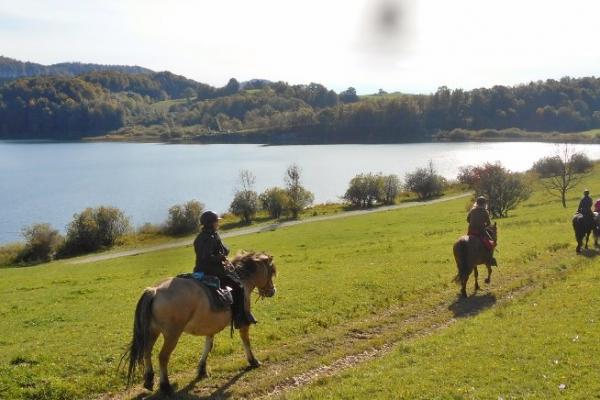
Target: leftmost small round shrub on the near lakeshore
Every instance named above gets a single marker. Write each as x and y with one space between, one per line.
41 243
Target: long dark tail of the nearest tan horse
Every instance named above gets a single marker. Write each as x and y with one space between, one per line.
134 356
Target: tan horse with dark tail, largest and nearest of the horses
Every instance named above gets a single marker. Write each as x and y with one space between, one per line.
179 305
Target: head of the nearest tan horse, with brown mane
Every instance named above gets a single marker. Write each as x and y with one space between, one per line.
258 269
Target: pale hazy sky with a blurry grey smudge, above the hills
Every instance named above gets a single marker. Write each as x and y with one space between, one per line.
410 46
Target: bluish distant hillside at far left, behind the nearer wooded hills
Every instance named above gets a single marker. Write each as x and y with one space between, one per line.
12 69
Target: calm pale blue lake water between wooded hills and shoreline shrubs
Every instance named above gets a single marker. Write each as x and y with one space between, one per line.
49 182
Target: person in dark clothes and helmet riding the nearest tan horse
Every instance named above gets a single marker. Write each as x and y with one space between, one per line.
211 258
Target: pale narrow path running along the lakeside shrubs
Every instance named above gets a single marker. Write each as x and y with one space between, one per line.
257 229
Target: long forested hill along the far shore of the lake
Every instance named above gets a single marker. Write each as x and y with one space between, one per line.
167 107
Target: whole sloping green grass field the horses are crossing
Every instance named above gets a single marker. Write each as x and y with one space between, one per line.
345 286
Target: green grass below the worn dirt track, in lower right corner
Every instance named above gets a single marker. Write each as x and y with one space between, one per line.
540 346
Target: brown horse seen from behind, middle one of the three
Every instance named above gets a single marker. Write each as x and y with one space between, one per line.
469 252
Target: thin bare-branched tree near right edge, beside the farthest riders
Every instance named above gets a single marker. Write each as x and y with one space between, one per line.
566 173
